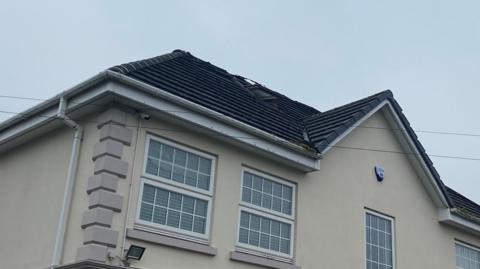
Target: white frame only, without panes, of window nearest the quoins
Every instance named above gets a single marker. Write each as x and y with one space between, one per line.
173 186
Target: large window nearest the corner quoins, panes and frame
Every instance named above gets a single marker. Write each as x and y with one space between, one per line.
176 191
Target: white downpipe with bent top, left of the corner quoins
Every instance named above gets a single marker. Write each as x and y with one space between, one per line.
69 183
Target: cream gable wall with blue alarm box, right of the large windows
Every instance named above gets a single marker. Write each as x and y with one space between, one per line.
330 229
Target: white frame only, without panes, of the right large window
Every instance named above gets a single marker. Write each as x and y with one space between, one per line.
267 213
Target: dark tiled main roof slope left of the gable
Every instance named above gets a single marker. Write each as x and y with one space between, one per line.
186 76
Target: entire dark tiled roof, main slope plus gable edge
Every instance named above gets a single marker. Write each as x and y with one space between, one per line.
189 77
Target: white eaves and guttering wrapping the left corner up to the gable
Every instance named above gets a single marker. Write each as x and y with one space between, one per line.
154 98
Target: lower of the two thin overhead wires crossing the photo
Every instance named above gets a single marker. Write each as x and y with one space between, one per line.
254 138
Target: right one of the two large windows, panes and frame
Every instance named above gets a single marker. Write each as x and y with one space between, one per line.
266 214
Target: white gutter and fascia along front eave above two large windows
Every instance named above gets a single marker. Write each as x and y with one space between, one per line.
279 149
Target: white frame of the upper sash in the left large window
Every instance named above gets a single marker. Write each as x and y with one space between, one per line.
150 137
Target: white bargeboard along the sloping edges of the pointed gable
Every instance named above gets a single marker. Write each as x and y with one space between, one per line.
429 180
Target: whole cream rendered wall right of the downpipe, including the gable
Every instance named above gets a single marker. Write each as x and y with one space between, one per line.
330 208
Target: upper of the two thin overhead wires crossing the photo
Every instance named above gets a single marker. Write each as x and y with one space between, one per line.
355 126
